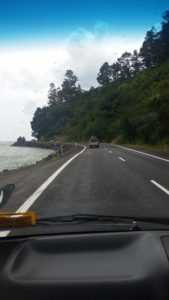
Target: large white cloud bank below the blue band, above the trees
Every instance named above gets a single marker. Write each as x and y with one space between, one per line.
25 74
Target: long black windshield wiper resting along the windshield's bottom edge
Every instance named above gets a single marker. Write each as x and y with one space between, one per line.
85 218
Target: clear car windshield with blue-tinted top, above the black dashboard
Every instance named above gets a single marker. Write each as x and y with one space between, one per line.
73 73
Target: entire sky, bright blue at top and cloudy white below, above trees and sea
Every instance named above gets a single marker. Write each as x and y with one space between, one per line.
40 40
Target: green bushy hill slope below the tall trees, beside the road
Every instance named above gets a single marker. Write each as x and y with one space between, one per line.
135 111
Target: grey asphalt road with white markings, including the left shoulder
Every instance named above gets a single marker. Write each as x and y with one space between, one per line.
110 180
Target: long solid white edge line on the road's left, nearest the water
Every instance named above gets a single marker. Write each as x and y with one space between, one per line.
29 202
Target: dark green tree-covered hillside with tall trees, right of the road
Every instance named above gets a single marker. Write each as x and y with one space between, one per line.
131 105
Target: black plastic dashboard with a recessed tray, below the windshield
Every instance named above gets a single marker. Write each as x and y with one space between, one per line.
113 265
